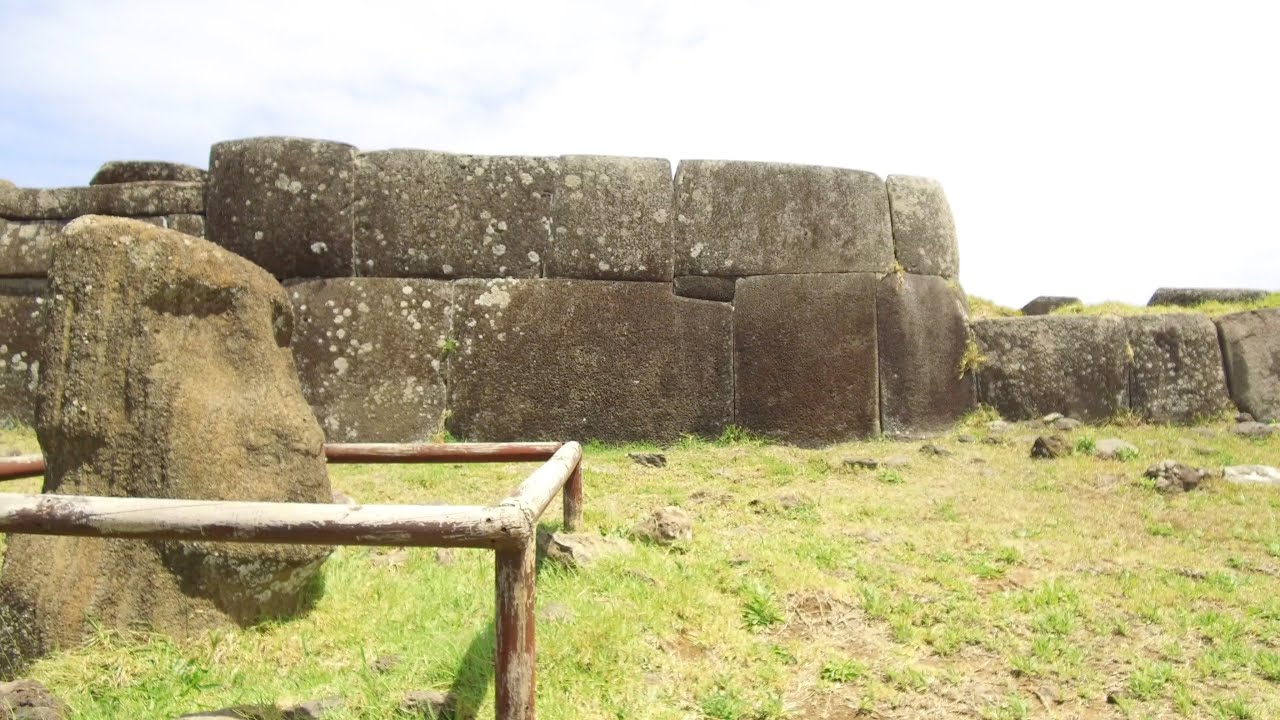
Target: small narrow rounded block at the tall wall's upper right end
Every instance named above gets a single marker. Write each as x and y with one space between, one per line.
925 233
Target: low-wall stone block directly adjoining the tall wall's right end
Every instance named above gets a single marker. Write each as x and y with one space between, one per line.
1071 364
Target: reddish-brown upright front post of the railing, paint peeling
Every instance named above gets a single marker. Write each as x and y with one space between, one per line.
516 667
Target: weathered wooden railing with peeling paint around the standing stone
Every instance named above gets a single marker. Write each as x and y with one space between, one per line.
509 528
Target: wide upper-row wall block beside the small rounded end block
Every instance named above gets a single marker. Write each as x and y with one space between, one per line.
767 218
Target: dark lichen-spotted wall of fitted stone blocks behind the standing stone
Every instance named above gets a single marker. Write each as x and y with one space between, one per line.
541 298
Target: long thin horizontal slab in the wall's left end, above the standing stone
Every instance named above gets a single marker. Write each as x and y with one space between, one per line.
135 199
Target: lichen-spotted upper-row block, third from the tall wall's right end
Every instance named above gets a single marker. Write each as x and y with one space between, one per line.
612 220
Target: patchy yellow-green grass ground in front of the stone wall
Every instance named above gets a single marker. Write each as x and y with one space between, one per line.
979 585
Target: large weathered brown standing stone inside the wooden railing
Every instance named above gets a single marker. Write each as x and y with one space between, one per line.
167 373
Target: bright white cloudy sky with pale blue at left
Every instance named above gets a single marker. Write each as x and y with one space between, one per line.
1089 149
